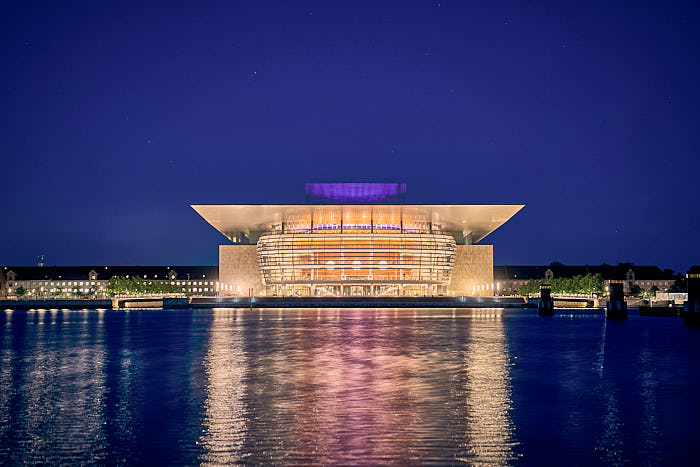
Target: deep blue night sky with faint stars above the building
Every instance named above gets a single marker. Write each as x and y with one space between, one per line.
115 117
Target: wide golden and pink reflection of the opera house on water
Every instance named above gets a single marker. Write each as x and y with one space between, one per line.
356 386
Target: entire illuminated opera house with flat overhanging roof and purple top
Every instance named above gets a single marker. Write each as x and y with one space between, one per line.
355 239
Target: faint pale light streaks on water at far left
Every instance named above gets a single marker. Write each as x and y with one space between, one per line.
56 383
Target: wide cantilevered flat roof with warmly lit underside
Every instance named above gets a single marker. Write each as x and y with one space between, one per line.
235 219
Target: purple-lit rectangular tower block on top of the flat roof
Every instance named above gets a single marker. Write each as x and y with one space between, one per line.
363 193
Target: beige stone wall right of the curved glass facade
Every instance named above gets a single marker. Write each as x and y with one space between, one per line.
473 266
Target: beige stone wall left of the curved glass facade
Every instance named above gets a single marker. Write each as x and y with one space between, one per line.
239 267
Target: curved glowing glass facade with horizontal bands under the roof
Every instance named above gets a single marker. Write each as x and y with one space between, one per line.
356 258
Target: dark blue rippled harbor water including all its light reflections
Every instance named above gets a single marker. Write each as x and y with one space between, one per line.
346 386
